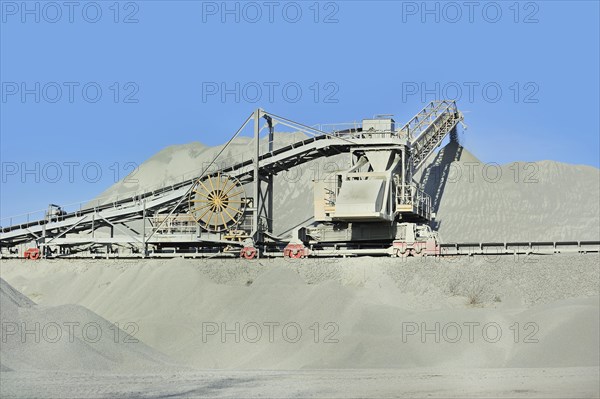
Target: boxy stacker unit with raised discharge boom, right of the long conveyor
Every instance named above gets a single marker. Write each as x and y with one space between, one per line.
376 200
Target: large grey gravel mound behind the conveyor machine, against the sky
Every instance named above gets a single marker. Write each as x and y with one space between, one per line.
474 201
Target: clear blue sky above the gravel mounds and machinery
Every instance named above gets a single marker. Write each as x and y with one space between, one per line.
96 87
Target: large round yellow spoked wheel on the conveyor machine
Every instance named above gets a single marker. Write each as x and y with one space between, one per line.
217 203
